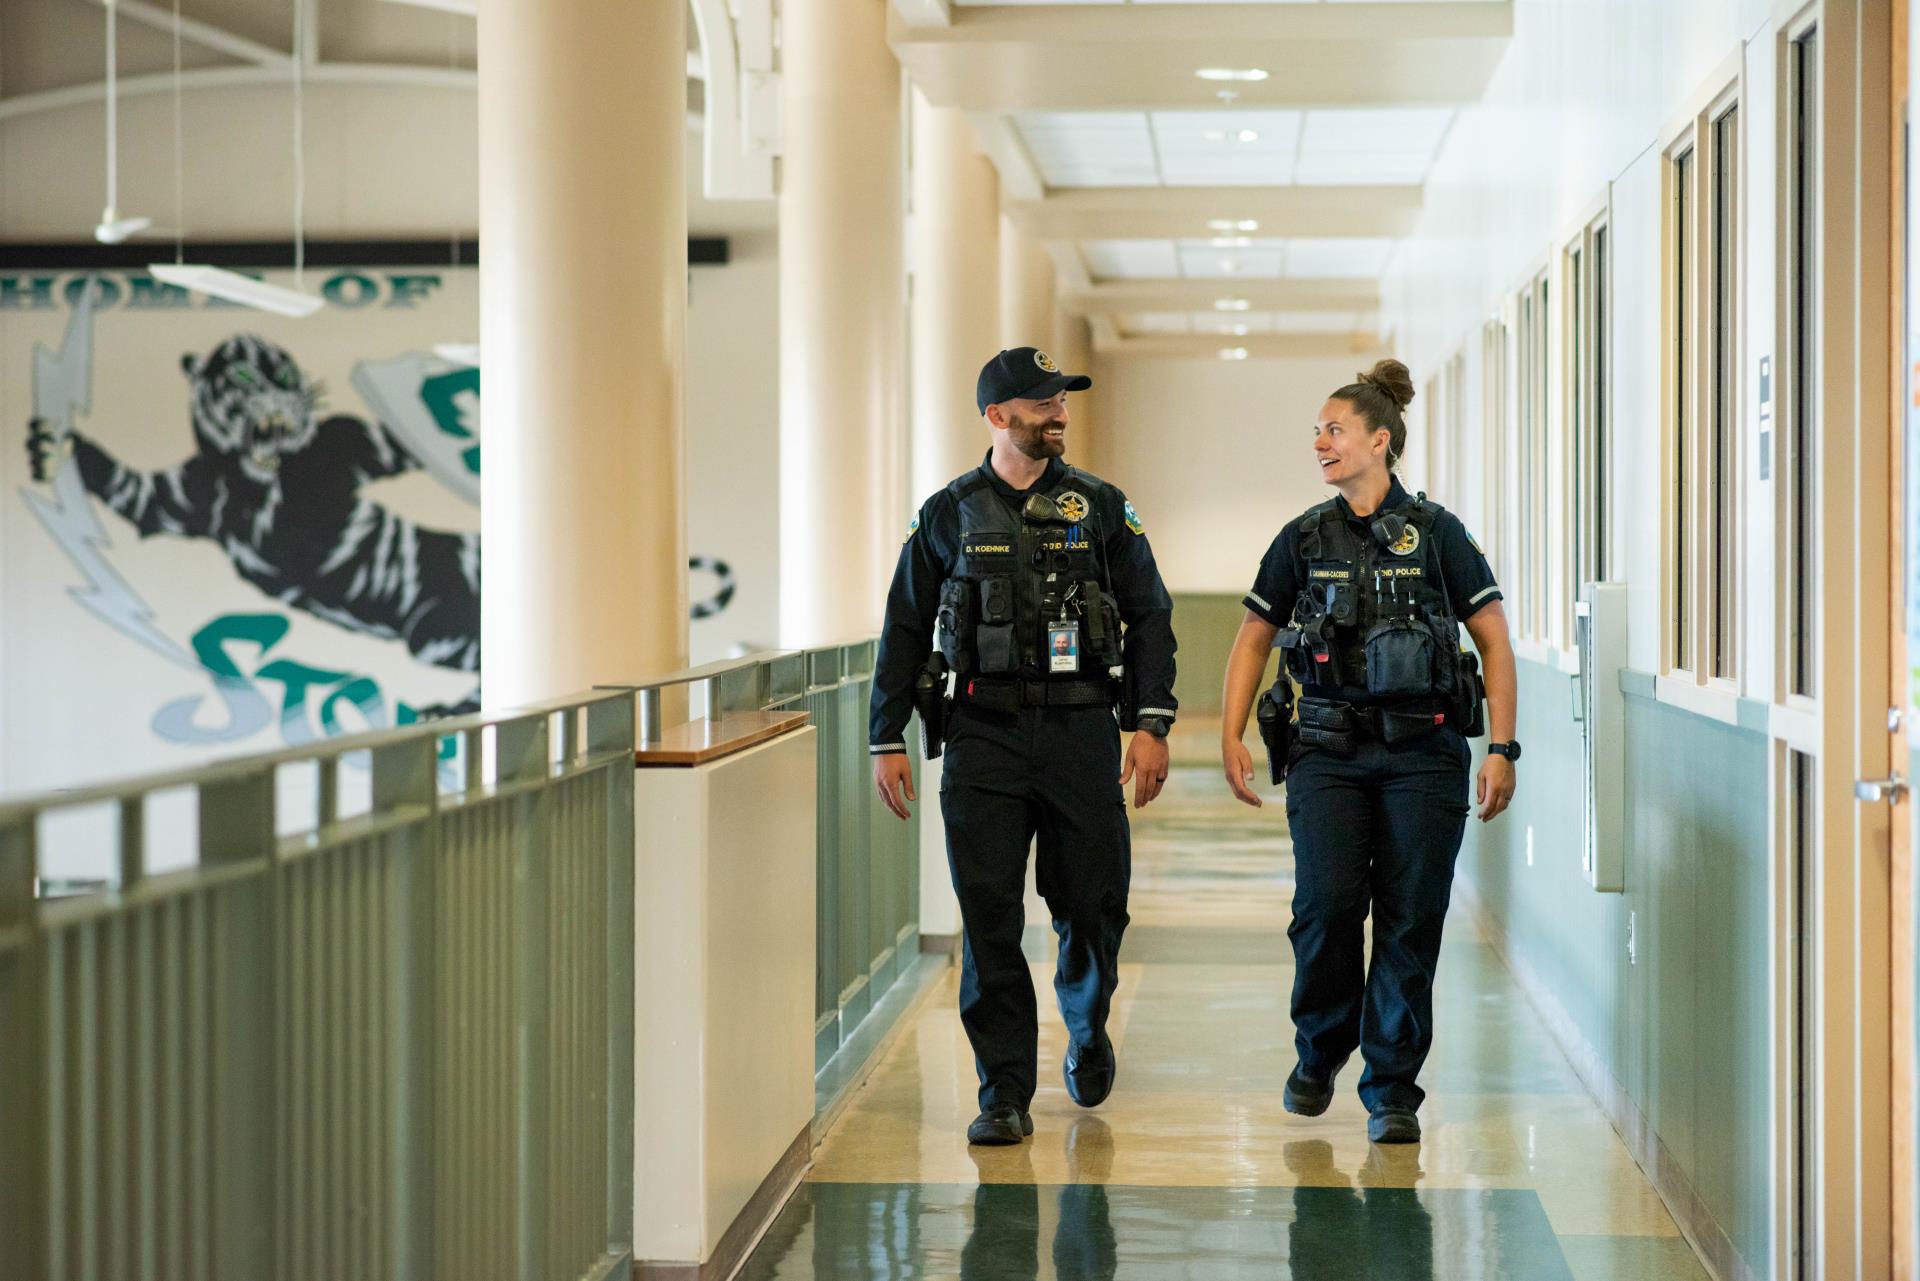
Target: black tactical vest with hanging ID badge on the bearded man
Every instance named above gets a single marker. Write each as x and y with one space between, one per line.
1026 587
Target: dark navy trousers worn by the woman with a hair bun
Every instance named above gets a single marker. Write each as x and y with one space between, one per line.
1380 829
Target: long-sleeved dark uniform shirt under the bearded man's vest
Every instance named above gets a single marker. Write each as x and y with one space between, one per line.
907 633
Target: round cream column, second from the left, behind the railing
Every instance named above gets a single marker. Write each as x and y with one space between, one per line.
842 322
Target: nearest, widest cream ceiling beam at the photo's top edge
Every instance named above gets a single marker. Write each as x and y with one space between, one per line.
1143 57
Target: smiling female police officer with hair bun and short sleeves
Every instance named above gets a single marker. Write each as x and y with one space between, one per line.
1364 594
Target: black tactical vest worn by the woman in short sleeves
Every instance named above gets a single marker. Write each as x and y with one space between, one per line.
1374 614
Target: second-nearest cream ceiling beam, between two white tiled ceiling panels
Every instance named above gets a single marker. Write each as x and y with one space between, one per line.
1184 212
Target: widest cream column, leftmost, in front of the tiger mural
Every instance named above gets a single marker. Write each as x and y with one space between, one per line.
583 322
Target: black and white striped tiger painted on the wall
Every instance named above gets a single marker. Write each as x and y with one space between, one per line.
279 487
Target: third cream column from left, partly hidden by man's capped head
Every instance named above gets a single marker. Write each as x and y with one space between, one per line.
957 310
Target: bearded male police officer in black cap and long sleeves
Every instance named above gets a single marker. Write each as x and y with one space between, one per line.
1042 585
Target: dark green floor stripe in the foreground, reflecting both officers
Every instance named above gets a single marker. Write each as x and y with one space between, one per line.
1088 1232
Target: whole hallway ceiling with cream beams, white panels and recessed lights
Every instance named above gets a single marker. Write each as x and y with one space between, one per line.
1184 208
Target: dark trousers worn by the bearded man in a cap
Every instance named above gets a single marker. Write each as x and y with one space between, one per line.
1011 777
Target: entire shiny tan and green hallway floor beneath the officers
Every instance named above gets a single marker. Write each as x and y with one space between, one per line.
1191 1169
